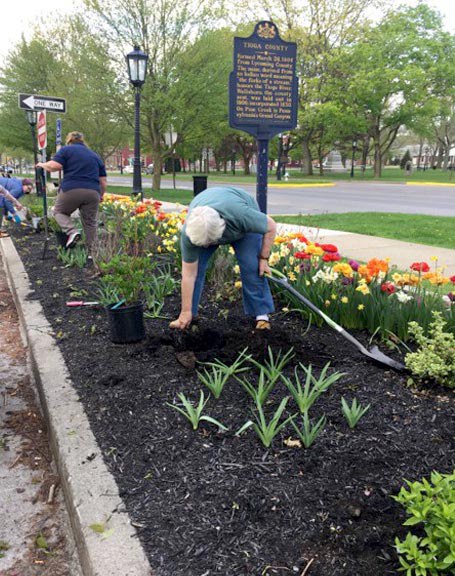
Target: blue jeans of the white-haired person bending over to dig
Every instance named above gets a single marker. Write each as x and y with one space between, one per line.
257 298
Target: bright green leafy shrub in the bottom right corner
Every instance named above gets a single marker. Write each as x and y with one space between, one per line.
432 507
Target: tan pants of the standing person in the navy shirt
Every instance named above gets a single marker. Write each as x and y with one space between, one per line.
87 201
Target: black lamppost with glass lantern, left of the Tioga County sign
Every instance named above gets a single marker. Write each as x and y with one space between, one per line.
137 69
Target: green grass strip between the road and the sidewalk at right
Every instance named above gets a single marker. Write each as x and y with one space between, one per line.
430 230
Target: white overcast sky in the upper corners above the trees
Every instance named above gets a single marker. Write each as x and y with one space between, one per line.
19 16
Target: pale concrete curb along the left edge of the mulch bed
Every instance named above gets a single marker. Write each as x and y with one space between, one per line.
90 491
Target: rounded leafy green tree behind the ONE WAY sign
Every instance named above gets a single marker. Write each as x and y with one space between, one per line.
64 61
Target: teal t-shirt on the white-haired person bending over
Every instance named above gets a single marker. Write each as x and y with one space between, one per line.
239 210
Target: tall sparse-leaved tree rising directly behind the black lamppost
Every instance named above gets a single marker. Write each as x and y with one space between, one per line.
163 30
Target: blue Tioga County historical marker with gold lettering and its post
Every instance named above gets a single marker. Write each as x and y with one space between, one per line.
263 92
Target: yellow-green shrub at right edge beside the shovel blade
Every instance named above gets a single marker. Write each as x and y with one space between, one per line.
435 357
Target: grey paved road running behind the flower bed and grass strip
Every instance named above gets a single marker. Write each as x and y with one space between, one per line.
345 197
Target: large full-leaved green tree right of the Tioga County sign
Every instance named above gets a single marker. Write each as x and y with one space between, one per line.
396 74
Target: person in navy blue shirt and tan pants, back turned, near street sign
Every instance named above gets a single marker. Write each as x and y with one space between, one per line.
83 186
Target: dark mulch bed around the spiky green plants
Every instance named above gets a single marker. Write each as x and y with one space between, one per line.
206 502
